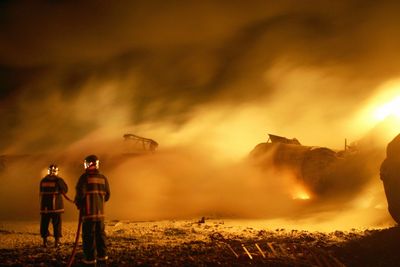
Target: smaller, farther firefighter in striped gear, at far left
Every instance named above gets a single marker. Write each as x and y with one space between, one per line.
51 204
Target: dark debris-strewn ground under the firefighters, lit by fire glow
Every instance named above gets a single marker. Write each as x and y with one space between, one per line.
213 243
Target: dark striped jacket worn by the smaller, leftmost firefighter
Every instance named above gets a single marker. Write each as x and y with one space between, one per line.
51 189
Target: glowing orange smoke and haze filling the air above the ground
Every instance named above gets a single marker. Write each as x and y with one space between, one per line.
207 80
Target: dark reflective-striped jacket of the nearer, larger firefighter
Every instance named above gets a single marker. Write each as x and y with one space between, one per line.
92 191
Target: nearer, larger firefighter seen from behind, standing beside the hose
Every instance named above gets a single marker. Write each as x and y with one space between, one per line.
92 190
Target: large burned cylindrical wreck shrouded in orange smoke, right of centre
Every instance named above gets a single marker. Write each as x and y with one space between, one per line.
321 170
